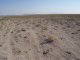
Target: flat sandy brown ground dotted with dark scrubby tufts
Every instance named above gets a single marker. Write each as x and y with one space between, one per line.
40 37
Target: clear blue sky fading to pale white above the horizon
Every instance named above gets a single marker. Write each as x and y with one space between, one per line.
16 7
